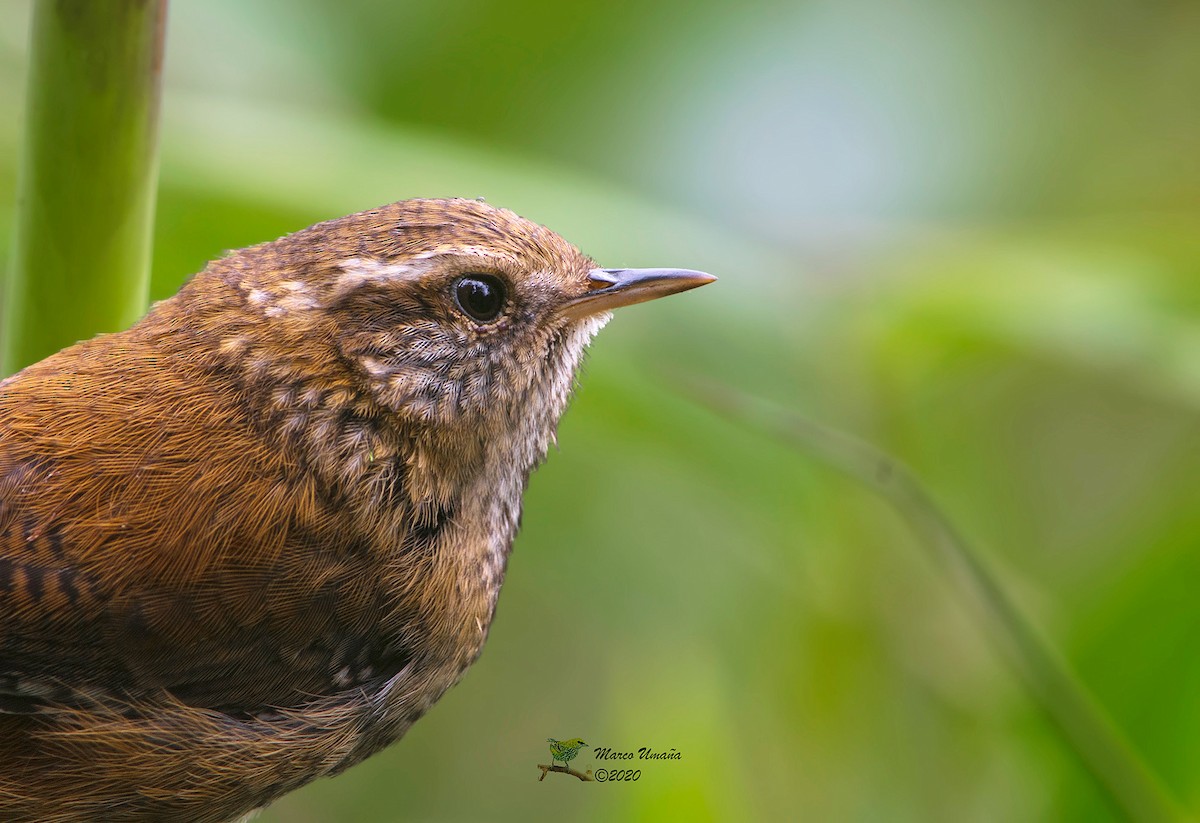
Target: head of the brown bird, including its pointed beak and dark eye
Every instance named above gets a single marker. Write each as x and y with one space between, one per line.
449 313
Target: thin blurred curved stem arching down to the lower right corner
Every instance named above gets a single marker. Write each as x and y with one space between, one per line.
1084 725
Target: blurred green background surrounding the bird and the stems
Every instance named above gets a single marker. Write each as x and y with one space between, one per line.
968 232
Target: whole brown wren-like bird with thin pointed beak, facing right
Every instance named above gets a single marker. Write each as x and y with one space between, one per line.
249 542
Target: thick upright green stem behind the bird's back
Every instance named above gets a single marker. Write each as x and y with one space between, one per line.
87 178
